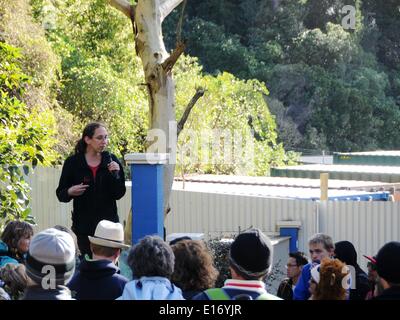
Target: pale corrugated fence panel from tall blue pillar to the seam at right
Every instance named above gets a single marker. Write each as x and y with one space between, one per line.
218 215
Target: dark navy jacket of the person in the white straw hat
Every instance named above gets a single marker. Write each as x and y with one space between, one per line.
97 280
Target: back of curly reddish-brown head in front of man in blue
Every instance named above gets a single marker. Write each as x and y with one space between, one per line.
330 278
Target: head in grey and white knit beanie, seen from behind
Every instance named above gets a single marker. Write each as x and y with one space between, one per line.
51 254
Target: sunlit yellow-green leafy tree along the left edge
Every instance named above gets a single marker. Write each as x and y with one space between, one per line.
33 125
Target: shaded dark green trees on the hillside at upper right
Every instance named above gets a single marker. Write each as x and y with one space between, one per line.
330 88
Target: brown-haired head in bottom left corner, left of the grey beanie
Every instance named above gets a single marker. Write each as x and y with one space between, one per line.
15 278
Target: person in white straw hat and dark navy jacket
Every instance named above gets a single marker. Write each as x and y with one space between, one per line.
99 278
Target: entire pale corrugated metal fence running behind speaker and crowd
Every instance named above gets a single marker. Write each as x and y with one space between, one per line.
368 225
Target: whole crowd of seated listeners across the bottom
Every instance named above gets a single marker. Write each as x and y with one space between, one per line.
49 266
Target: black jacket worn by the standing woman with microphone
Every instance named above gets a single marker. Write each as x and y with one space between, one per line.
98 202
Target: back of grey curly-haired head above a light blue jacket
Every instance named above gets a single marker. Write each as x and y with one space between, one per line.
151 257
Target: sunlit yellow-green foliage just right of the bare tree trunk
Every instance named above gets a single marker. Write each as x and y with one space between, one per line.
230 130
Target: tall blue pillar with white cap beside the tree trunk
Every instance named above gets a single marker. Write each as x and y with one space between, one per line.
147 172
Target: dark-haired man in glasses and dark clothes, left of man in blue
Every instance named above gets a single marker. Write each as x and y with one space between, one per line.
294 267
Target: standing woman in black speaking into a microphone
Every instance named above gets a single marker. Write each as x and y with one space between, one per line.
94 179
